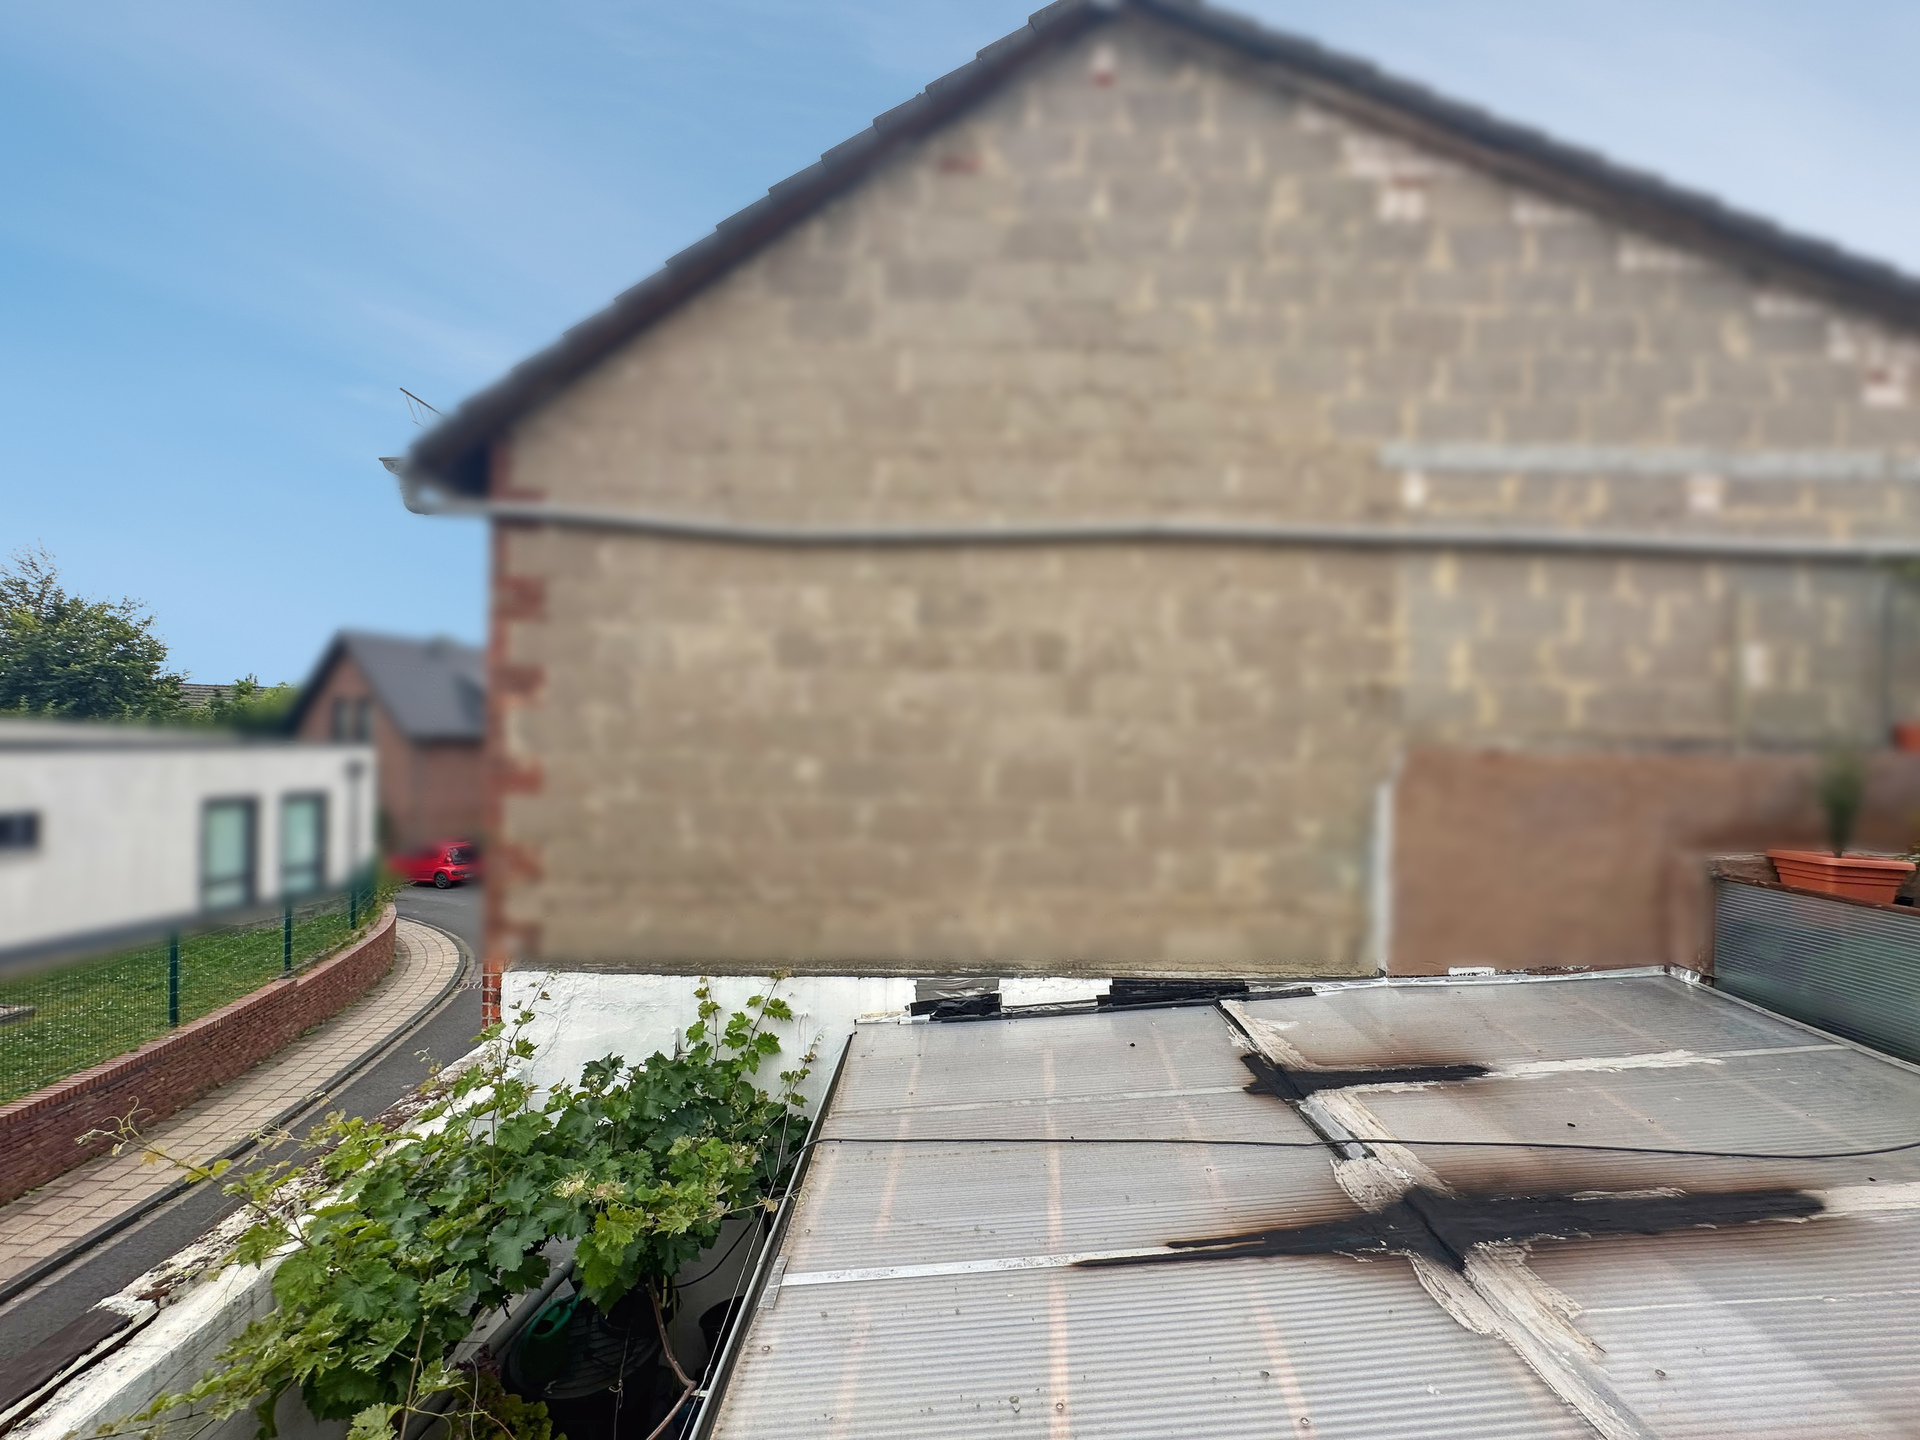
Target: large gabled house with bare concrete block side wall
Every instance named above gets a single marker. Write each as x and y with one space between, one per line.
1045 533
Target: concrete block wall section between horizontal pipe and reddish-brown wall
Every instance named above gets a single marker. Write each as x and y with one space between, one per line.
1610 652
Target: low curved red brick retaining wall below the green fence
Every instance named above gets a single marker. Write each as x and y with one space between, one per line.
37 1132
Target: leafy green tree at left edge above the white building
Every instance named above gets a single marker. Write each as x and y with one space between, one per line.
72 658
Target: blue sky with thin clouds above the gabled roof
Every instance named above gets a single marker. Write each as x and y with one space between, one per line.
229 233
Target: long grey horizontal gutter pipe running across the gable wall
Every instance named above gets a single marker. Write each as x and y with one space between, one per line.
423 498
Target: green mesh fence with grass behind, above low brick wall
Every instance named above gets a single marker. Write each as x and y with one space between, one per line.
59 1020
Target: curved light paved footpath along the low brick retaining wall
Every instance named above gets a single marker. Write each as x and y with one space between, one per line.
68 1211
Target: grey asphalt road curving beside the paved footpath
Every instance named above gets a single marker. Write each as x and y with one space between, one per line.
446 1036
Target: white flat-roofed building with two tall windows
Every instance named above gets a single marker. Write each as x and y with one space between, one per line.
110 828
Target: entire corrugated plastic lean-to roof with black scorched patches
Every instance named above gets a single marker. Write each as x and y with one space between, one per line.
932 1280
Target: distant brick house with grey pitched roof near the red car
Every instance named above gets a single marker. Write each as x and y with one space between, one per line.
423 706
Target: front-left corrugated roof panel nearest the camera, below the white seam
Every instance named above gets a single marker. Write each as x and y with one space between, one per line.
1226 1349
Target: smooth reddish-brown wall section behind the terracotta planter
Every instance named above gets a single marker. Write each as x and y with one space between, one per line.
1598 859
